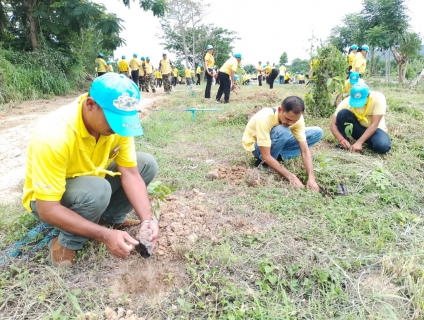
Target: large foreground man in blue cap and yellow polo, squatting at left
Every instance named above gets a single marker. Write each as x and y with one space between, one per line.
83 171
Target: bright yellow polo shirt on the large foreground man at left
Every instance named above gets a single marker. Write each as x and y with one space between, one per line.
61 148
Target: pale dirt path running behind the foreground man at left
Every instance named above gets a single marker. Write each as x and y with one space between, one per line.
16 126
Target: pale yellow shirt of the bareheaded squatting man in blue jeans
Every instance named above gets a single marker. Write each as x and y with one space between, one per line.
259 127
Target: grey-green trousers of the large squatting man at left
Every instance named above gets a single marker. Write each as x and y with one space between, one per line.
94 198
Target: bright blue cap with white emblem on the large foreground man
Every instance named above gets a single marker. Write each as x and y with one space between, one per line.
119 97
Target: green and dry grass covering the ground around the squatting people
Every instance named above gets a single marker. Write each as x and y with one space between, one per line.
309 257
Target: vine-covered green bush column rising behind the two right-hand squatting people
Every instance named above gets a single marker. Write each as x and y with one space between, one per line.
327 81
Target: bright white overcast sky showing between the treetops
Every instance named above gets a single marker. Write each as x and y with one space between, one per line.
267 28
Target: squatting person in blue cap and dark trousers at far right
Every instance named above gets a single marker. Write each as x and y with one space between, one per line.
365 110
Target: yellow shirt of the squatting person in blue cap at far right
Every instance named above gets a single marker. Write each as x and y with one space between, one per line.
378 106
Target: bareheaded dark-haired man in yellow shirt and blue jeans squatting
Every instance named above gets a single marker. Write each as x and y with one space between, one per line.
279 133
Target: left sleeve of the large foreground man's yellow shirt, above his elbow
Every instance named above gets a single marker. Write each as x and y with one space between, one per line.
49 164
